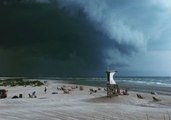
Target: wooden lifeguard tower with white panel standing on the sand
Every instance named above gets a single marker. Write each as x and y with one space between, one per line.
112 87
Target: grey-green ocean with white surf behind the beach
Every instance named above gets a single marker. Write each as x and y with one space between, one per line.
161 85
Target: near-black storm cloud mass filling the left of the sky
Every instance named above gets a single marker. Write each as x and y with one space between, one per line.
40 39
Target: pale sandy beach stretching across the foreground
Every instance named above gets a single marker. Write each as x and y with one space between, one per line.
81 105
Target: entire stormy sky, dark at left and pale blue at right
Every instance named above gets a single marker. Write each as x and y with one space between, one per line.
85 37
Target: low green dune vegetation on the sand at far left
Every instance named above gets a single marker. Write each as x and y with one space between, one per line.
20 82
